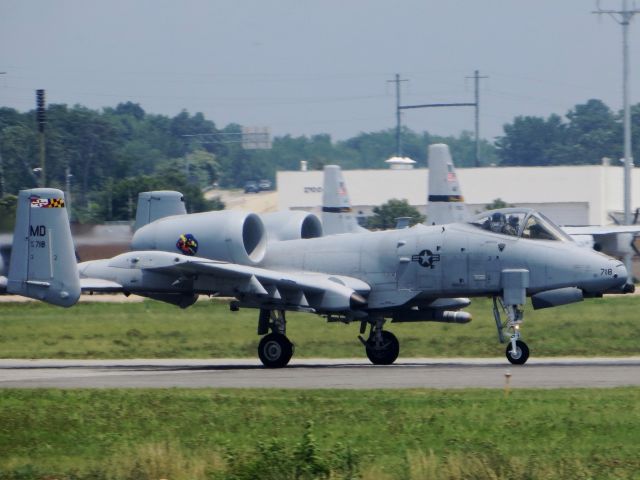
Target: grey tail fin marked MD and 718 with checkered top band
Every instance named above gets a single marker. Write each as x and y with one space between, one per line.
43 262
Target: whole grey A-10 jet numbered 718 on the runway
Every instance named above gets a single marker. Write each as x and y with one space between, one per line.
409 275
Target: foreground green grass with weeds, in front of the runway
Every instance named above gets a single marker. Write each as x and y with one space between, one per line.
274 434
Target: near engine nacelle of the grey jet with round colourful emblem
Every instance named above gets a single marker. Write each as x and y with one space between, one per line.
230 236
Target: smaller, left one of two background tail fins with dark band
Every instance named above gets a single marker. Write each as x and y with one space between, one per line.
337 216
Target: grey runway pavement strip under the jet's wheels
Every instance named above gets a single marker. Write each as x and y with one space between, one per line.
320 373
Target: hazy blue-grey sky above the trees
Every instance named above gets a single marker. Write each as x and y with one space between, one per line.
301 68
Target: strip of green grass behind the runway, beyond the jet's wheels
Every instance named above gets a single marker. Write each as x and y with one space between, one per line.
608 327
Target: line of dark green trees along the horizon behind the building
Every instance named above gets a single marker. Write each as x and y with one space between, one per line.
114 153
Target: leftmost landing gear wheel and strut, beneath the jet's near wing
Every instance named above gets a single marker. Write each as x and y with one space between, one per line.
275 349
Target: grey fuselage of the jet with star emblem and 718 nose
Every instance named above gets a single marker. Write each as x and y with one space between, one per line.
450 261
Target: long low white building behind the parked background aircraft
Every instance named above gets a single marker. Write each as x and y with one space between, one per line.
569 195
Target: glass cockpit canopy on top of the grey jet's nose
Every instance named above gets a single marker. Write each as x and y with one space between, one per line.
523 223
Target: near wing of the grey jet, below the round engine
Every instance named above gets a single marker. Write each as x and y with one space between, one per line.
252 285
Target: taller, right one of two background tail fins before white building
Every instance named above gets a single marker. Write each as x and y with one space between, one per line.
445 203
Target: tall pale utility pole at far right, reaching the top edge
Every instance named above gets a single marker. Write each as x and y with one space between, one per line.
623 17
